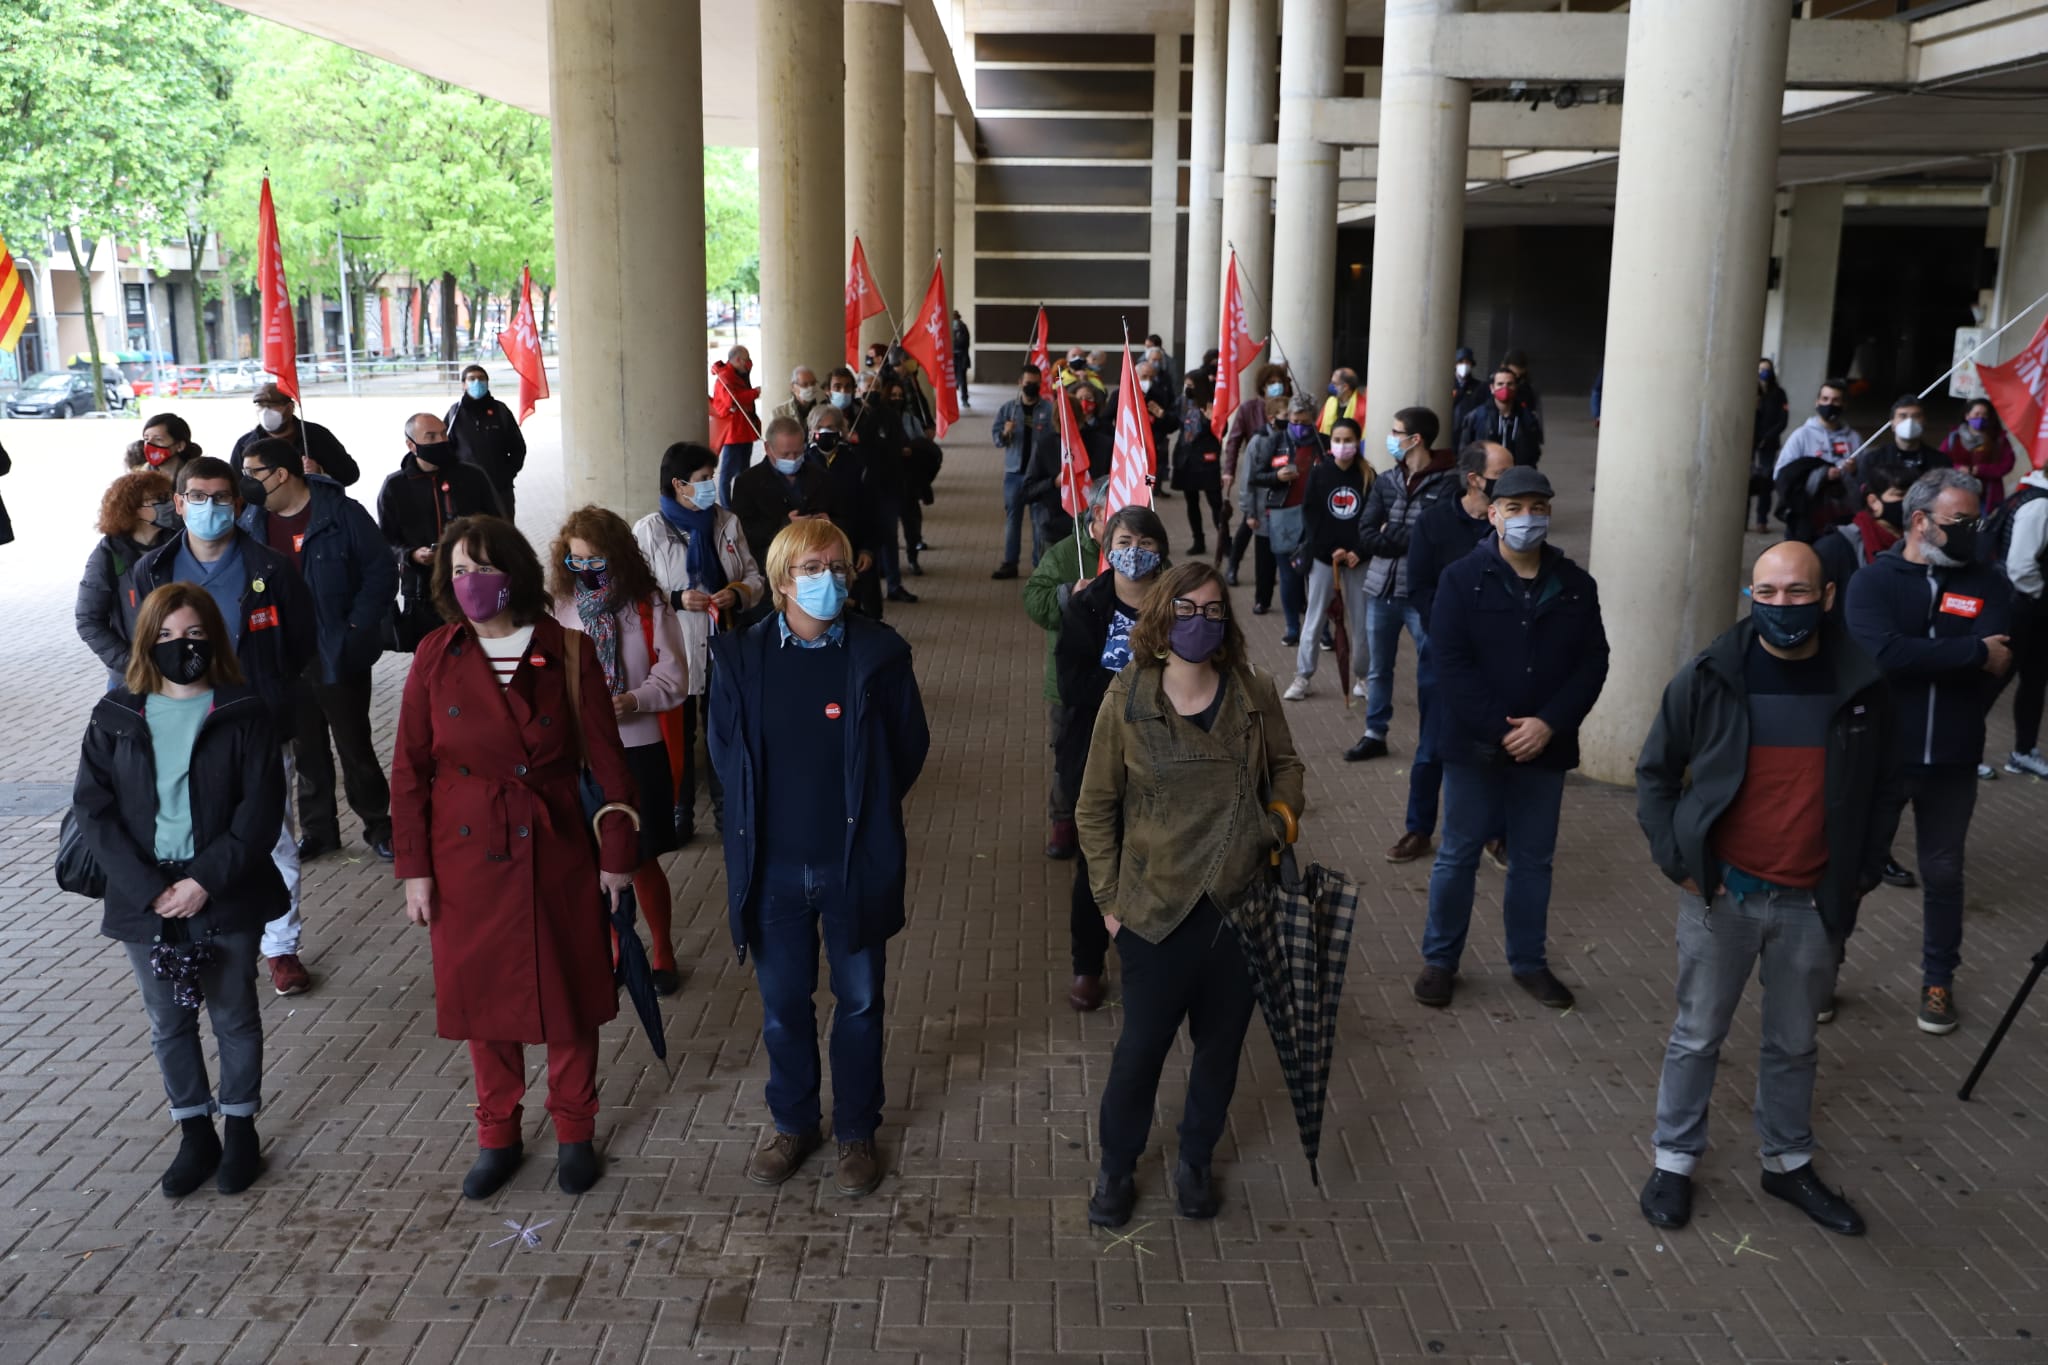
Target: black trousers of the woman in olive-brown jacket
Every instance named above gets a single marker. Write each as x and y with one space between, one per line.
1197 975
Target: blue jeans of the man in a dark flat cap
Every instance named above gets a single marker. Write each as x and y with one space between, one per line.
1478 803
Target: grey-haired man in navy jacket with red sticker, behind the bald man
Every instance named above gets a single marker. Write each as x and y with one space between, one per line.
1936 621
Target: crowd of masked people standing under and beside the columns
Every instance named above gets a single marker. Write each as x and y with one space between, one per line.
560 713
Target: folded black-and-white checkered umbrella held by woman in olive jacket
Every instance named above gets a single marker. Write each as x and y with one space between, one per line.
1297 936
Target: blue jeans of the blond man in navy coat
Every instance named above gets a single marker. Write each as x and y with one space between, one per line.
783 940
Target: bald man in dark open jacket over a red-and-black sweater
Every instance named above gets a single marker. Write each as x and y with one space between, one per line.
1768 789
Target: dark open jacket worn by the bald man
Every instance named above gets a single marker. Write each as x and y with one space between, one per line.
1699 752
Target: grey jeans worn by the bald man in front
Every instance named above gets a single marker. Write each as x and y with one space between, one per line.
1781 934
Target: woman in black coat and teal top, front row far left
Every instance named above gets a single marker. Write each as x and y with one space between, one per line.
181 797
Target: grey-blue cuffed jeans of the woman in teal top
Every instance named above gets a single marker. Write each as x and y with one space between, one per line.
232 1006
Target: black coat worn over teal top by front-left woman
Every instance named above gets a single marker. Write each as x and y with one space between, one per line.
239 807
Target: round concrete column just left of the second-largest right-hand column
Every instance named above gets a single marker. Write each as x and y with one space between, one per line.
1306 189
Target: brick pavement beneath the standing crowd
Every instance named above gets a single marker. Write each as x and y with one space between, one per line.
1480 1163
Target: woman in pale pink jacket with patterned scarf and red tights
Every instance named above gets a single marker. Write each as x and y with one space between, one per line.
601 586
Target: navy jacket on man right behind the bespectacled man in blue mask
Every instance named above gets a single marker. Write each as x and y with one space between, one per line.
351 576
